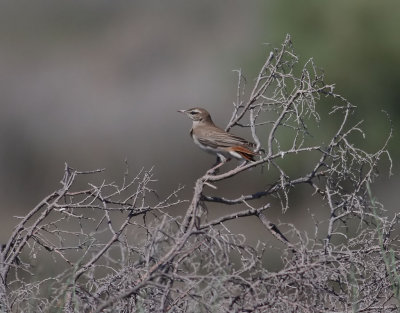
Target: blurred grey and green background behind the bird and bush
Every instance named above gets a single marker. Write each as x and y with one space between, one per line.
91 83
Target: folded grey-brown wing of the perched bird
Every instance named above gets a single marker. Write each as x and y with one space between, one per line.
216 137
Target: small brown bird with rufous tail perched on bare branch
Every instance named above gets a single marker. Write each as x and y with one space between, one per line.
213 139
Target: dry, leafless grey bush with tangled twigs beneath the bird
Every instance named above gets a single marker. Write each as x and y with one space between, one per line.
119 248
